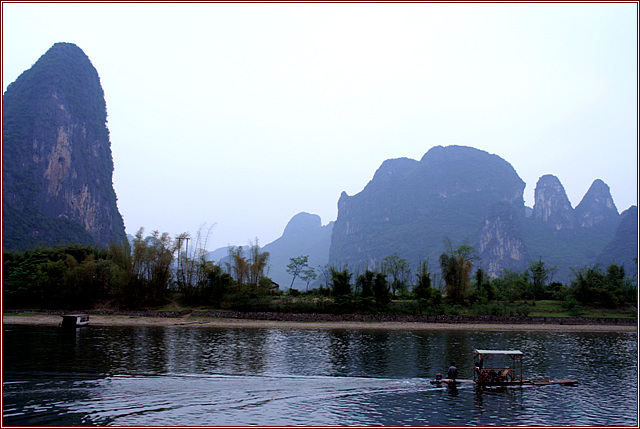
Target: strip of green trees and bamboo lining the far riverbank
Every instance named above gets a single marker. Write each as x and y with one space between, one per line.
152 271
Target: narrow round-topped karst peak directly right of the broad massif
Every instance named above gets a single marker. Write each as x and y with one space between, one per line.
551 204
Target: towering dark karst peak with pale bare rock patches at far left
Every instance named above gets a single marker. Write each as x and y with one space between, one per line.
57 165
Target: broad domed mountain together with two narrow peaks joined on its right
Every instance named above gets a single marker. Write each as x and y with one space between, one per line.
474 198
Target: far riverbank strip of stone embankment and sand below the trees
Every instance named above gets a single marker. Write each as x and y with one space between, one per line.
318 321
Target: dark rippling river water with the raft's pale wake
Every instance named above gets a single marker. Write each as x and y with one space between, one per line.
177 376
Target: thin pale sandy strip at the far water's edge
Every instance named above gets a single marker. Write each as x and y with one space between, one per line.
209 322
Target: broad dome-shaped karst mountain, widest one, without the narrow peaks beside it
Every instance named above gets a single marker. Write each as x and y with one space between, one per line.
409 207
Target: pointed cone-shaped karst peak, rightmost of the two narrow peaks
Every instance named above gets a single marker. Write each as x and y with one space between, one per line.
597 206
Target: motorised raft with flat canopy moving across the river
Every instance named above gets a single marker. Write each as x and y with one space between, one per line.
507 372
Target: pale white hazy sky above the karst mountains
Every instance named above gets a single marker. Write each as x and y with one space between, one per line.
242 115
